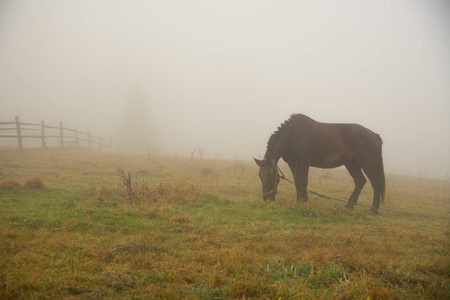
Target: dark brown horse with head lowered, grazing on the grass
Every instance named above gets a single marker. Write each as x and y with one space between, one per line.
303 143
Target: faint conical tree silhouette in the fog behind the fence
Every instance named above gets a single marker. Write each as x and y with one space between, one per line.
137 133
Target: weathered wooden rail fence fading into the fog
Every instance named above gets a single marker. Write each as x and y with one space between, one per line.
45 133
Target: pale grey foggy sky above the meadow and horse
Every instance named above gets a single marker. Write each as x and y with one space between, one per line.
222 75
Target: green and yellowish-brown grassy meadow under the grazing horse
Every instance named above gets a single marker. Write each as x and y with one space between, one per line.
73 227
